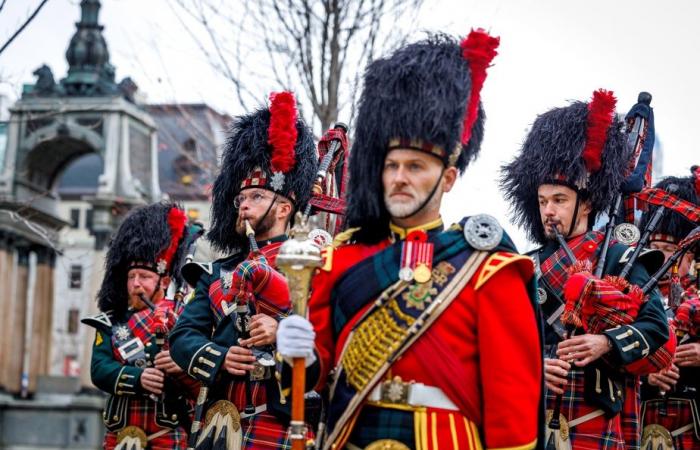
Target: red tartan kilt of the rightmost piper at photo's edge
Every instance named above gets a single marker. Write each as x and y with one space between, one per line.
678 414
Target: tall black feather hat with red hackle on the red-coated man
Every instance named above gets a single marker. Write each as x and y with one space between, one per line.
425 97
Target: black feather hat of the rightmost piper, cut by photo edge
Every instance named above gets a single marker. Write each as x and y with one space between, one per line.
674 227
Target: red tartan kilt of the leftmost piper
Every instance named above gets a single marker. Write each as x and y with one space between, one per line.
142 413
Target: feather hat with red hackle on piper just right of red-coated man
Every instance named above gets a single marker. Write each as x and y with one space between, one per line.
582 146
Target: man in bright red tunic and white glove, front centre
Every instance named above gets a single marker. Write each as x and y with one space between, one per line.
429 332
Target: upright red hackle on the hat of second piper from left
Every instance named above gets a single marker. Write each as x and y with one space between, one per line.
282 133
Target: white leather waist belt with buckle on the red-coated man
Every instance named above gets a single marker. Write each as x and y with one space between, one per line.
413 394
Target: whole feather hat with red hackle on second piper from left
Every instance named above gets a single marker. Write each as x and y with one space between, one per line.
272 149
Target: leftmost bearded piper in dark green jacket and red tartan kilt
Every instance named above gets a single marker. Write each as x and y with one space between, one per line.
147 406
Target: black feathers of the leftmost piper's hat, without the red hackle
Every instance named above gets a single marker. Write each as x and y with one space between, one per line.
141 237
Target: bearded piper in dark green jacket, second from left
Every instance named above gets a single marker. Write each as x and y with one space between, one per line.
267 172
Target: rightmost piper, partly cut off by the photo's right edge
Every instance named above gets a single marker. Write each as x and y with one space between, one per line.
671 397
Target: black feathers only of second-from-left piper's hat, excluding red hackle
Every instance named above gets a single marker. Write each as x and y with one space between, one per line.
247 148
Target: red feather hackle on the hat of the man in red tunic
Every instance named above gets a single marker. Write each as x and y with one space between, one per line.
479 49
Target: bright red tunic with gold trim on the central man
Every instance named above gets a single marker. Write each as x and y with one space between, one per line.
483 352
